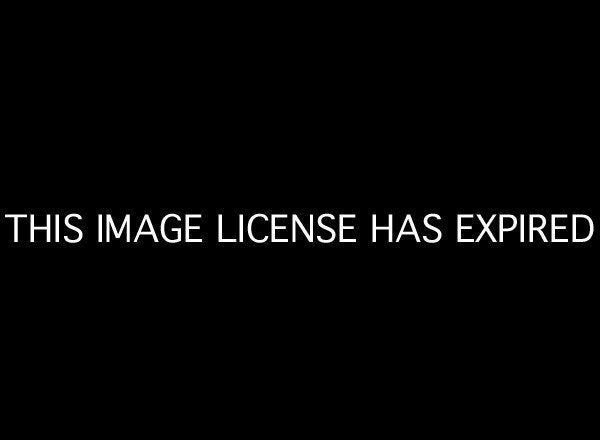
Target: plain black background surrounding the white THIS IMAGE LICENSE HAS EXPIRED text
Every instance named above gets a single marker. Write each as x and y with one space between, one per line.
368 113
